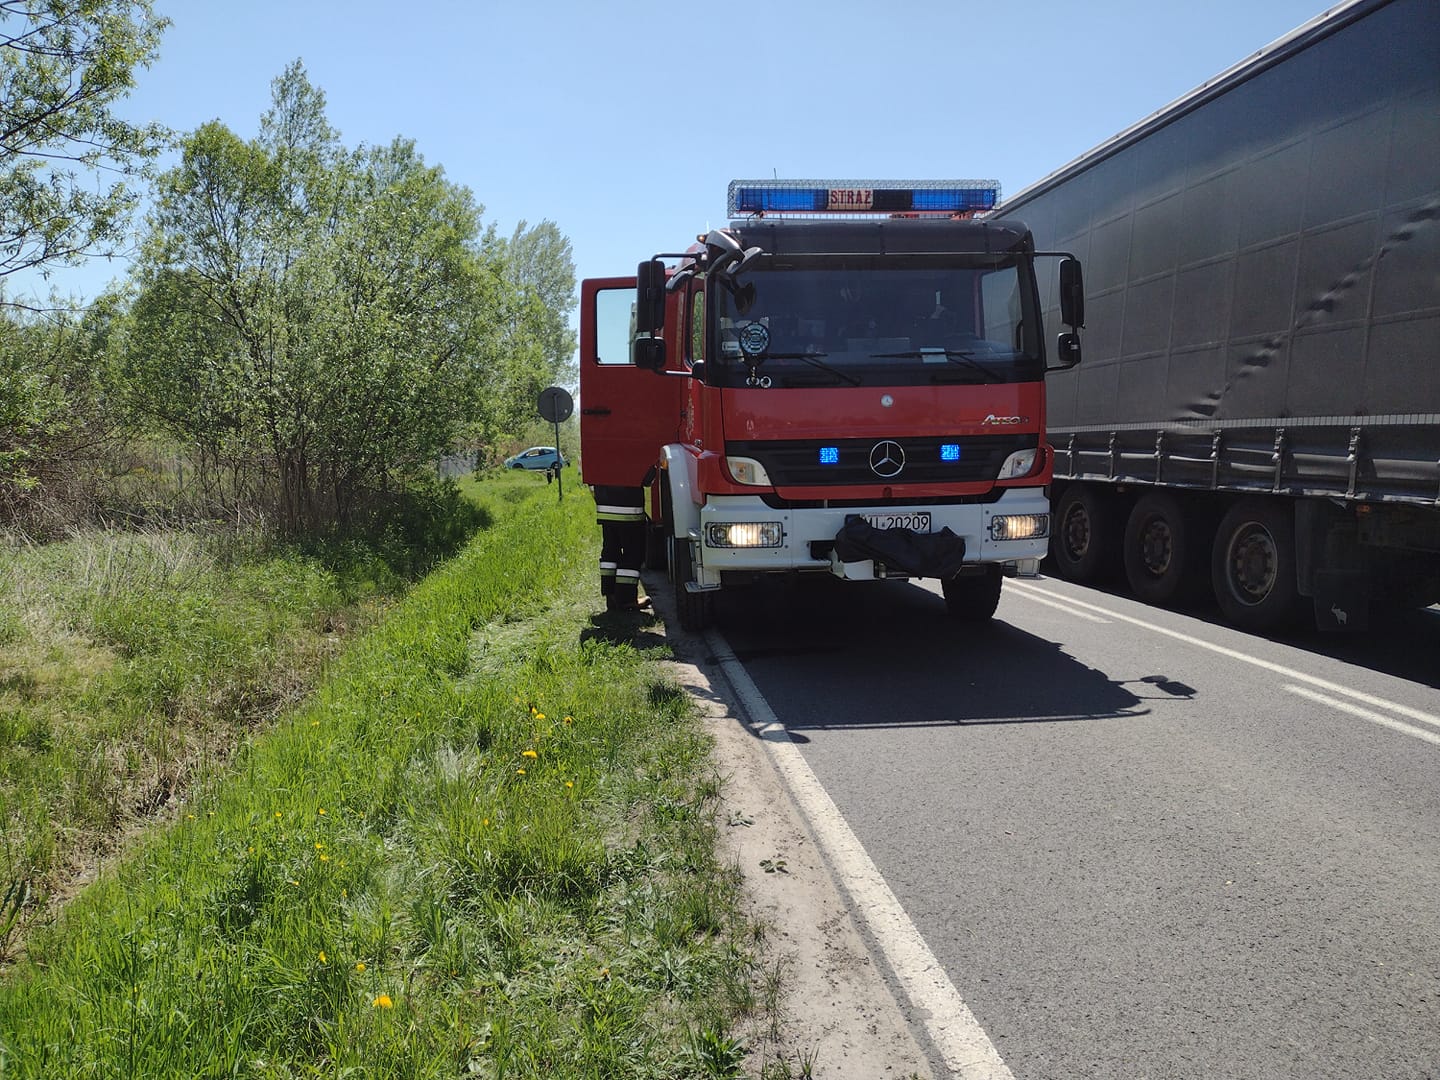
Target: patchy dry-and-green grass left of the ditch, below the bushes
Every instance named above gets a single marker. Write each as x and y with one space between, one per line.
132 666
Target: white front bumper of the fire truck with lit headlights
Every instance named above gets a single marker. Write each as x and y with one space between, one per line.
807 535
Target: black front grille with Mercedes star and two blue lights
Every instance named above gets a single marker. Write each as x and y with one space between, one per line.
798 463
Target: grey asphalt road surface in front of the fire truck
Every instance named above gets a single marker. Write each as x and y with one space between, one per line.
1140 843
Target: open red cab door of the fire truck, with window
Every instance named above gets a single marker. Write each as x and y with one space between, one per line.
627 413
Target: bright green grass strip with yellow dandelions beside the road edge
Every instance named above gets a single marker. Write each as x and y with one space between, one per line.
485 847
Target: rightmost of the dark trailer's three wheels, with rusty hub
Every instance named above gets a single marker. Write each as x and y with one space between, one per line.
1254 567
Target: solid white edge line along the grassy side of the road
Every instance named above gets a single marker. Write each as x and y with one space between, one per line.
950 1023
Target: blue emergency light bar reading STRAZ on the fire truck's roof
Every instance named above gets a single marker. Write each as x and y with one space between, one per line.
862 197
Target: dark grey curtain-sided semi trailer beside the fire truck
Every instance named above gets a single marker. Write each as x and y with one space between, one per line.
1259 411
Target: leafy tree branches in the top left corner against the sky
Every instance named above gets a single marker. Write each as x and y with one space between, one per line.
63 67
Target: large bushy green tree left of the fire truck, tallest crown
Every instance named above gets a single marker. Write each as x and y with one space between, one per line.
323 316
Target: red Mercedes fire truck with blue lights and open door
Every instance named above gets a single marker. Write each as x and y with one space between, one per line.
850 379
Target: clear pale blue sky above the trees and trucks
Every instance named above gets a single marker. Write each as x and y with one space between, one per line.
624 120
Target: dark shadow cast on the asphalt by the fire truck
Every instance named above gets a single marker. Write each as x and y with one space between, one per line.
839 656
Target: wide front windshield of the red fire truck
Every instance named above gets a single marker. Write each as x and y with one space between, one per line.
876 320
